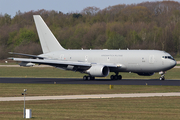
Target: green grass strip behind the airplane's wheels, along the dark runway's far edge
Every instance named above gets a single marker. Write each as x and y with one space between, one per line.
50 72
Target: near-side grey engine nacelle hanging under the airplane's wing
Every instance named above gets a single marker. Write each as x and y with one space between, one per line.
98 71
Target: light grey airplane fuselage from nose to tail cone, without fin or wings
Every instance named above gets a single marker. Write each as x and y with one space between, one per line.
127 60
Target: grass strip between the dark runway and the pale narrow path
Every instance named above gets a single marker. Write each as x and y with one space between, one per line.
15 90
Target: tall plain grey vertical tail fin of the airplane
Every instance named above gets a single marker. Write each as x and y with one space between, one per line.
48 41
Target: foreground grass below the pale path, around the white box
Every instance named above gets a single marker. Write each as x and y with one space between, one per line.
150 108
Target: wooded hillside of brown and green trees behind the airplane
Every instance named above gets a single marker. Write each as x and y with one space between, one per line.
148 25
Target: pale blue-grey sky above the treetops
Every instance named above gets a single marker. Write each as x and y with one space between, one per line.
12 6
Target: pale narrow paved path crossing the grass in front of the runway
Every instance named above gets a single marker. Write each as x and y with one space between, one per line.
95 96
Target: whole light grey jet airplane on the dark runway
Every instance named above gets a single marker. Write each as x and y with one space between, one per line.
96 63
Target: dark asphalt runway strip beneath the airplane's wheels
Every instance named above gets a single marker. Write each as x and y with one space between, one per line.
97 81
